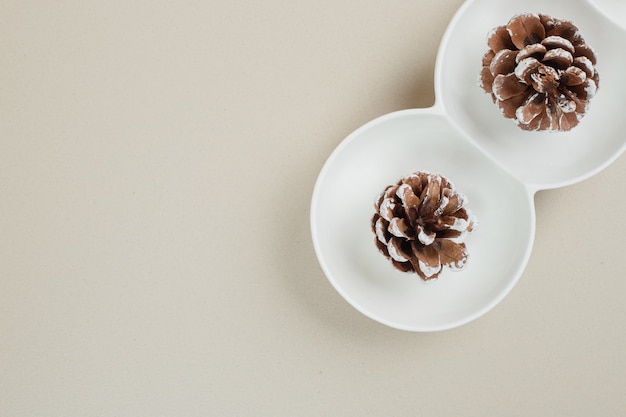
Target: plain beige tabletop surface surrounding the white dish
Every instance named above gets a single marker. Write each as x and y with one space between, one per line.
157 161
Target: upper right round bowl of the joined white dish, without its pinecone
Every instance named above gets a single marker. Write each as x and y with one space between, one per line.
541 159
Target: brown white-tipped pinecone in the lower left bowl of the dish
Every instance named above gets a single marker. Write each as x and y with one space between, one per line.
420 225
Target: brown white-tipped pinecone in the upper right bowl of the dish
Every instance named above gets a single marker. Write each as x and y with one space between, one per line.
540 72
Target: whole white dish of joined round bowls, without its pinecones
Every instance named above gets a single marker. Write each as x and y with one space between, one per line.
490 160
